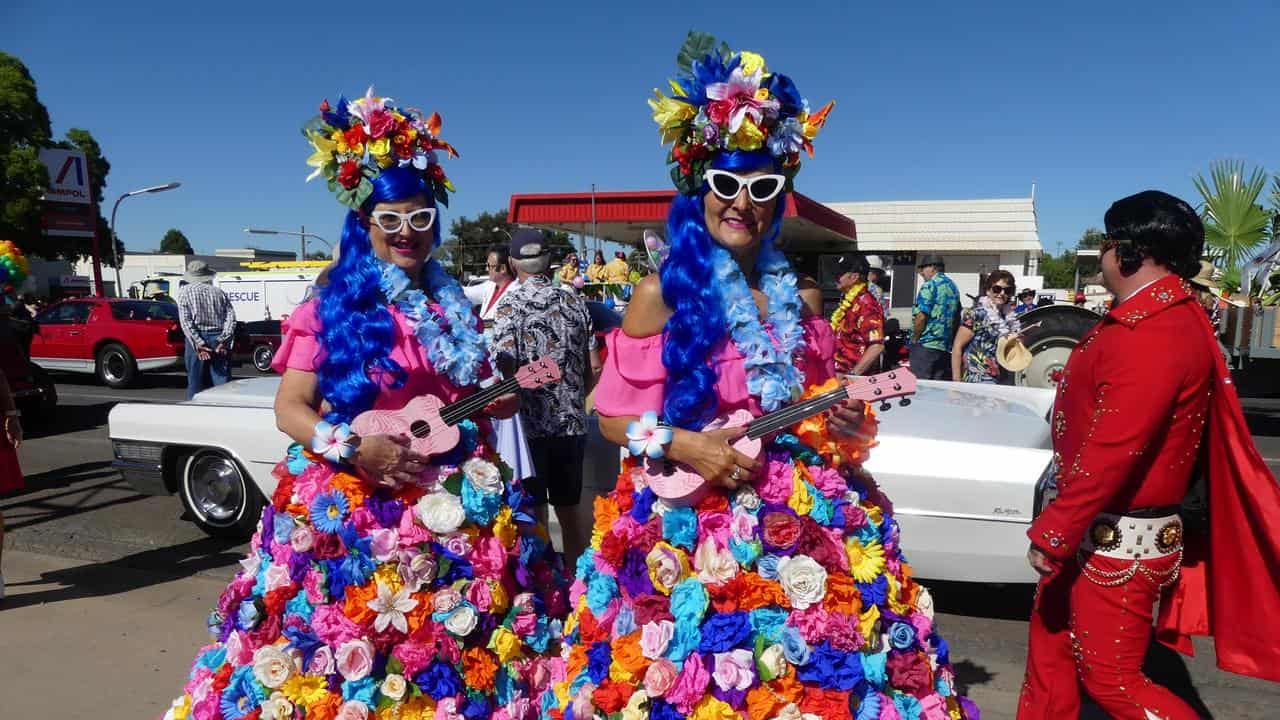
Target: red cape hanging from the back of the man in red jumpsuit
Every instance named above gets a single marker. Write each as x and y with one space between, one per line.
1231 586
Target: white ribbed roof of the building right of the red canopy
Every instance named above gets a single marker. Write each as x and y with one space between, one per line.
940 226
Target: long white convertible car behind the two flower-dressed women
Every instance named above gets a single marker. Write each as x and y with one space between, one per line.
962 466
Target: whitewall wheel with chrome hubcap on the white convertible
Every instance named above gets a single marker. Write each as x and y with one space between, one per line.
220 495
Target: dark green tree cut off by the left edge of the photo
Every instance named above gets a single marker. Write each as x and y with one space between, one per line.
24 131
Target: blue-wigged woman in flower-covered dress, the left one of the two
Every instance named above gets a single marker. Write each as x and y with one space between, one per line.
382 584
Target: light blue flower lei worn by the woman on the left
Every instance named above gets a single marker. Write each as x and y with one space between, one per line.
458 353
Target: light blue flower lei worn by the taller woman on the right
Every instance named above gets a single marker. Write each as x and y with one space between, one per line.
772 375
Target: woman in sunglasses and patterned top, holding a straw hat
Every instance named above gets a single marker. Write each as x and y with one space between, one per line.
973 356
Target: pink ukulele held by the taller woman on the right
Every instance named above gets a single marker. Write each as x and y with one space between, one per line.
679 485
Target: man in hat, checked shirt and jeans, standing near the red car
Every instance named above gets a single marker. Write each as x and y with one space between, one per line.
209 323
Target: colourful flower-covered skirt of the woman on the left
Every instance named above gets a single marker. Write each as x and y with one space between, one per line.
441 603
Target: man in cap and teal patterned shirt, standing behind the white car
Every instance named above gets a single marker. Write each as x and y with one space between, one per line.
936 316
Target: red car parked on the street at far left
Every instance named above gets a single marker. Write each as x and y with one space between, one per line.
109 338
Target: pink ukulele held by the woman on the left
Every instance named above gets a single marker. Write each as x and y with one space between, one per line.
433 427
